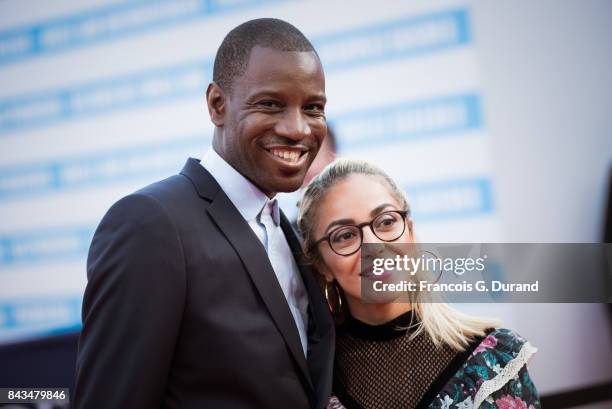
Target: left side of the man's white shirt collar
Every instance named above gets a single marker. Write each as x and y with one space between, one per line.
247 197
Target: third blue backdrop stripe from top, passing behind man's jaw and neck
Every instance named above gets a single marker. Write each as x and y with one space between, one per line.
407 120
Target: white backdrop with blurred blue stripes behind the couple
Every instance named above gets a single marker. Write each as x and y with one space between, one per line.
98 99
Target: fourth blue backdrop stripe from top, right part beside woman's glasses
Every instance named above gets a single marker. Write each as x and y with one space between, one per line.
446 200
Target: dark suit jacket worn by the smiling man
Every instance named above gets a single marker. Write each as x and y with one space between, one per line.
183 309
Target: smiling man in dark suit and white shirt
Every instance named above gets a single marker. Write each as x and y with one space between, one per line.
197 293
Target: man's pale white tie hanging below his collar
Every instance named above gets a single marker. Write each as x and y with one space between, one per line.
285 268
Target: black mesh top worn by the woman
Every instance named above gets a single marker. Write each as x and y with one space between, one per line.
380 367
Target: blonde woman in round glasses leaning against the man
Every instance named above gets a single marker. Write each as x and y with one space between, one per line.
392 354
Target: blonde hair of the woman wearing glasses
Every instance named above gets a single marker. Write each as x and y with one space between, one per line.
443 324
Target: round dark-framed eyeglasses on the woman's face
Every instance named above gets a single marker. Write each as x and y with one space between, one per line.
347 239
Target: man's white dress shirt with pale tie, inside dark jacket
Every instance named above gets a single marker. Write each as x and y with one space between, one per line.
250 201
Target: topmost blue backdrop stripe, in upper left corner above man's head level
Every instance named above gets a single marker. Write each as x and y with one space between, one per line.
108 23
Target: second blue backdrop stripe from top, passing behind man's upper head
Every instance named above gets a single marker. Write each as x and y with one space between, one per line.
366 45
